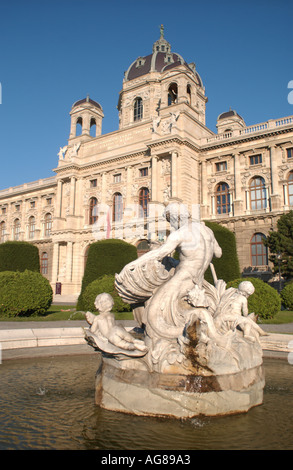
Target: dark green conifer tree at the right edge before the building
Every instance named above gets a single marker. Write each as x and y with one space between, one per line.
280 244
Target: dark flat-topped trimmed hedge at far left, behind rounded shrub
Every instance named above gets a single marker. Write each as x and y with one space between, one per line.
19 256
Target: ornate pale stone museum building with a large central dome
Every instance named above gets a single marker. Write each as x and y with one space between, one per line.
115 185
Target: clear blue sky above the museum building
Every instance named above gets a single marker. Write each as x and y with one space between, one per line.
53 53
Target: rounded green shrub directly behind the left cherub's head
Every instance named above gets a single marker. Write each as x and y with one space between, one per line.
100 285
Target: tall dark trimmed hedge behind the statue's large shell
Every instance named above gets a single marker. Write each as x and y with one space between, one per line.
105 257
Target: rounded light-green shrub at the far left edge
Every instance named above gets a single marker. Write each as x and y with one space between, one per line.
24 293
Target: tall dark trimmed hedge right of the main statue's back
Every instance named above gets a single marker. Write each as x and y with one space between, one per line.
226 267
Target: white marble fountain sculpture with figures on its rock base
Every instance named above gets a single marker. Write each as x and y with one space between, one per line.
197 349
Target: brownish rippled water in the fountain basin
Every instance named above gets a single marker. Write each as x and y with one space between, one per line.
48 403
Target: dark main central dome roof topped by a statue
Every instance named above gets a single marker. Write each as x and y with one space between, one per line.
161 60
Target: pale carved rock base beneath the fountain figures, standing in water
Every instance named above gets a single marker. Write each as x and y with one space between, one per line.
143 393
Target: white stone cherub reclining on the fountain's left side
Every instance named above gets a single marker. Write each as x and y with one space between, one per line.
104 326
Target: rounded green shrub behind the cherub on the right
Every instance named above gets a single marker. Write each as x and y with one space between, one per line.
265 302
